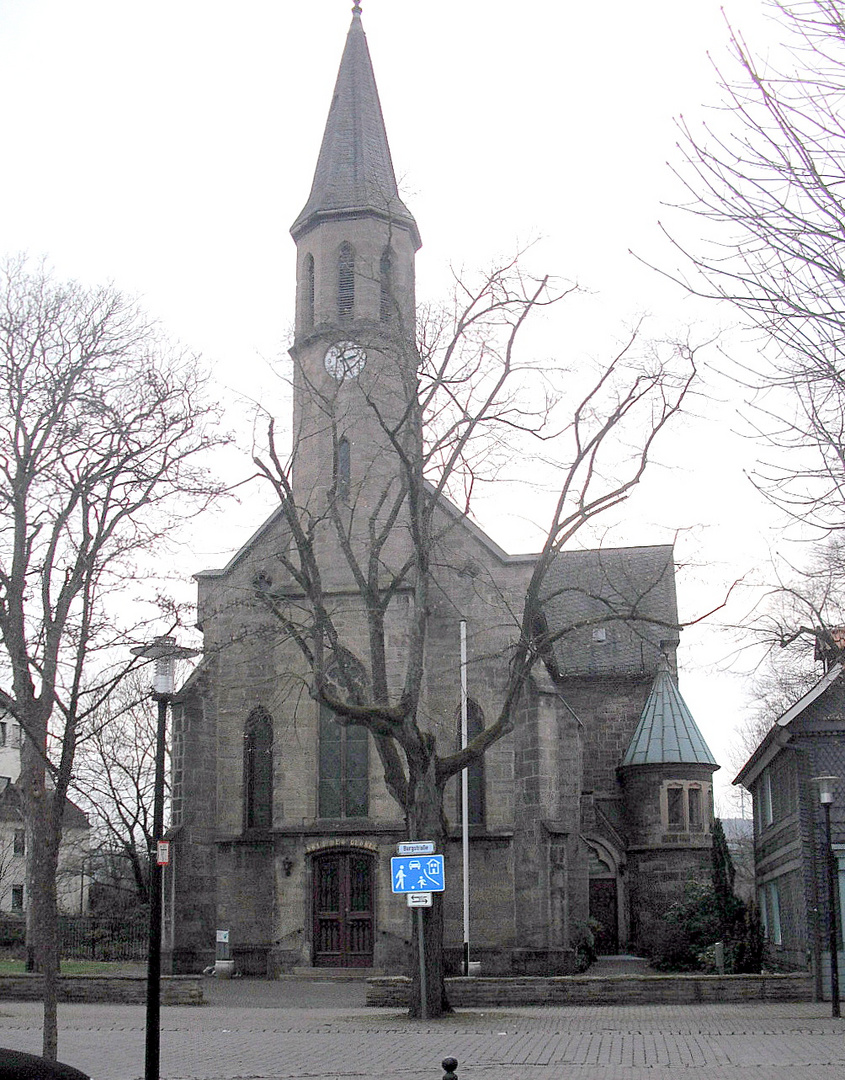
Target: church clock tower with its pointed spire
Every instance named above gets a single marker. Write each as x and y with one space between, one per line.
354 347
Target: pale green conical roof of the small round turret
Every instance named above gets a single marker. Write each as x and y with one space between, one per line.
667 733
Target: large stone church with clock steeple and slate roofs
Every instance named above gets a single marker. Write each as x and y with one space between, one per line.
591 815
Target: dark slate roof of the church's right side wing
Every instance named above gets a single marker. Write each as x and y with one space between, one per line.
615 606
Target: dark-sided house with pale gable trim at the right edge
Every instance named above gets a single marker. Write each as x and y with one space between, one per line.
808 741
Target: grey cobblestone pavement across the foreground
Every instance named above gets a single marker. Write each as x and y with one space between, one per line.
642 1043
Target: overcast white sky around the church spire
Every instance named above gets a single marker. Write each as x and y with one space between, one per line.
168 147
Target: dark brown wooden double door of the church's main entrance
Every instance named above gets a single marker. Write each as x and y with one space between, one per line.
343 906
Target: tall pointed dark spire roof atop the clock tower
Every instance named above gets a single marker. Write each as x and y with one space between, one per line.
355 172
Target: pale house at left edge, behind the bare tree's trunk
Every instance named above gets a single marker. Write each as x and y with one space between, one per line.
72 884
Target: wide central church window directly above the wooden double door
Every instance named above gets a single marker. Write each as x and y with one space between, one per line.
344 768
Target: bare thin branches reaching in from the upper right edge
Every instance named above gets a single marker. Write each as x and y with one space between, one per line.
766 179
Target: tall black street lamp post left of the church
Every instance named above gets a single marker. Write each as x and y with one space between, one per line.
165 653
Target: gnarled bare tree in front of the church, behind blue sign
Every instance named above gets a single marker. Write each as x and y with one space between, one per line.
442 411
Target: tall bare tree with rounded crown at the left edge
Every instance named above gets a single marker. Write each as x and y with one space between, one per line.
102 424
